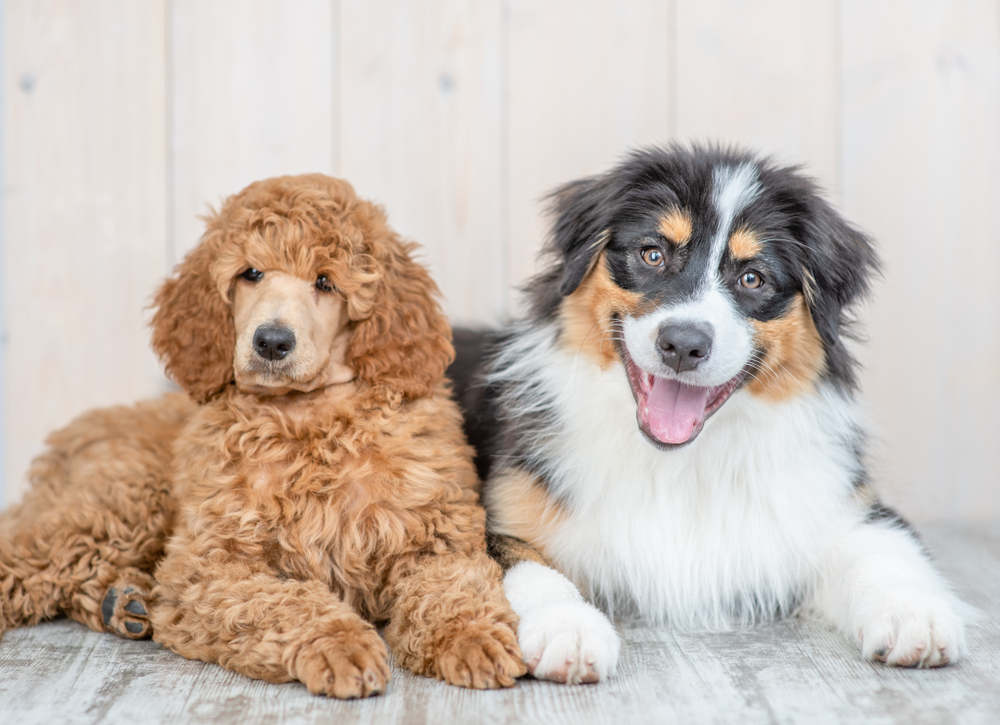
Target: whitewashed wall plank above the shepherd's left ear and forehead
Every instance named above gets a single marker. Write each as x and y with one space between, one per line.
582 89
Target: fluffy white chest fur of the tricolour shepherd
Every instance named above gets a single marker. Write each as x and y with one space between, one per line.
723 531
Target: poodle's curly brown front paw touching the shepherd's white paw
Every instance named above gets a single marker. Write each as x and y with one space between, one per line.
482 656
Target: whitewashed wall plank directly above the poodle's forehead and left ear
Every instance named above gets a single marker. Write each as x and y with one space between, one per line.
252 88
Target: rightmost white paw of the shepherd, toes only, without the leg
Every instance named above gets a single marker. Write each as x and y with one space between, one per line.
919 631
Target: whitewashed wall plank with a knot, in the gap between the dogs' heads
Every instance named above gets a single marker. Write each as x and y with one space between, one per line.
421 97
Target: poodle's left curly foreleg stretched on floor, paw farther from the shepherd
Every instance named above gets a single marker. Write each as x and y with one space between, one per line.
227 609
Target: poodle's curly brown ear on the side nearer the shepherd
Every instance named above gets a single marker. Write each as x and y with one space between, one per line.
404 345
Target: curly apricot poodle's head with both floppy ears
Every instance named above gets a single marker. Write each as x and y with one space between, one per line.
298 284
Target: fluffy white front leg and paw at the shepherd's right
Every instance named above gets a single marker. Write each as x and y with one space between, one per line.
880 588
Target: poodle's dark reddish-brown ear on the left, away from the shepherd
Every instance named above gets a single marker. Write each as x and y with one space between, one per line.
193 331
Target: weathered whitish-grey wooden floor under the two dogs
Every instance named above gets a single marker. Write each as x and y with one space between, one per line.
789 672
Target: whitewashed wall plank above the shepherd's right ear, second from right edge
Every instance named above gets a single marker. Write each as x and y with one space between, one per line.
764 74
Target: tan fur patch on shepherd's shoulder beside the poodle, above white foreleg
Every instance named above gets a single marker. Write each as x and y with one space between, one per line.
519 506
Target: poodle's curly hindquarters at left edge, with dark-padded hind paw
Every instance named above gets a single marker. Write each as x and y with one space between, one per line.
94 520
